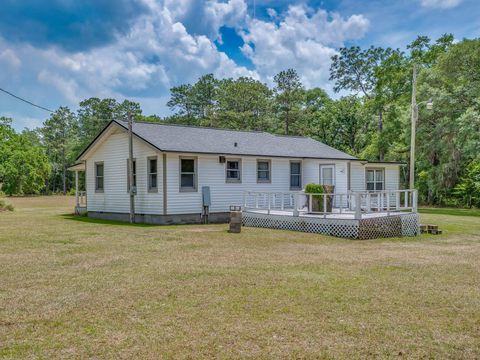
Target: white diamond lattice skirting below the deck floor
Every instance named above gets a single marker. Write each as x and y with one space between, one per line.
378 227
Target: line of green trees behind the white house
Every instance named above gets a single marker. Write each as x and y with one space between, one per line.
369 118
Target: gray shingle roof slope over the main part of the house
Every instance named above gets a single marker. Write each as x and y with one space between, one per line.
192 139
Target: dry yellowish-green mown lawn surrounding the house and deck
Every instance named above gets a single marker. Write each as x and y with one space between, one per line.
75 288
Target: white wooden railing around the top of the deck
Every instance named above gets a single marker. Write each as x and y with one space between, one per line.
355 203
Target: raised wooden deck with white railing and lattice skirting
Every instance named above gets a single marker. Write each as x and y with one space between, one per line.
356 215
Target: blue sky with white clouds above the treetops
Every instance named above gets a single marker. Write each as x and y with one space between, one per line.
59 52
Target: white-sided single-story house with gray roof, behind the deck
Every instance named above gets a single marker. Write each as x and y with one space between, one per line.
173 164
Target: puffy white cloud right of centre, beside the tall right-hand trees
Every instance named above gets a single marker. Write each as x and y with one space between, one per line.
304 39
